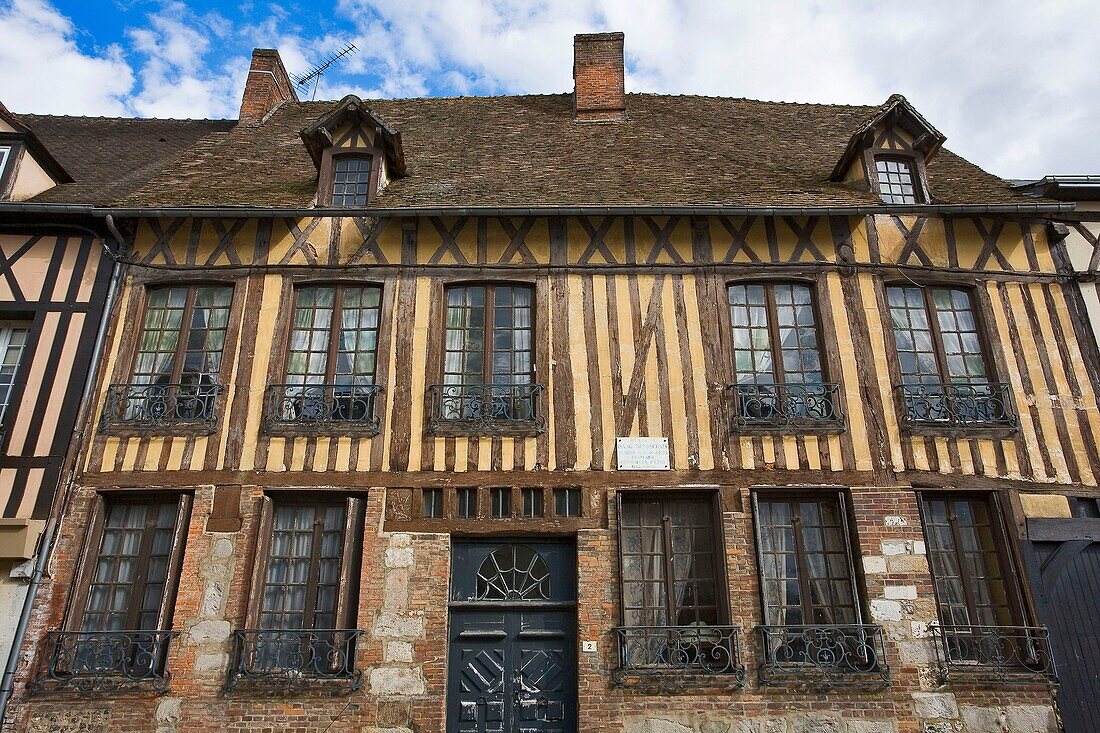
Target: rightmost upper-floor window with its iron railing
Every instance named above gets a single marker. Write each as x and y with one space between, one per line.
944 373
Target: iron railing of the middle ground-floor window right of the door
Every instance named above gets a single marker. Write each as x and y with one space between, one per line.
824 655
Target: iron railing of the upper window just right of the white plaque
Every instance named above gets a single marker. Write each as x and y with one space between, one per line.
787 406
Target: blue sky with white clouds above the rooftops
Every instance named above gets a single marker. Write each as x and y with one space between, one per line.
1014 84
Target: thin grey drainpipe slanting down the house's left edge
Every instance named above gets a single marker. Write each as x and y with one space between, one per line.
8 684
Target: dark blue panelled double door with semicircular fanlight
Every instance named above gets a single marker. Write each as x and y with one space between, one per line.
513 646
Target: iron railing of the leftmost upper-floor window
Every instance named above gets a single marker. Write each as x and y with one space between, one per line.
161 407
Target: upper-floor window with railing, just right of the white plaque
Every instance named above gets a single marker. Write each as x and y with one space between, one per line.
778 370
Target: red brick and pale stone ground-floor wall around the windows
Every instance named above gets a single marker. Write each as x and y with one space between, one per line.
403 653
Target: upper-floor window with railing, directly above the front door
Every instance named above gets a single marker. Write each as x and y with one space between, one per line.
489 366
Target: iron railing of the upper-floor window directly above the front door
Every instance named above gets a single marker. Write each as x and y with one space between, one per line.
486 409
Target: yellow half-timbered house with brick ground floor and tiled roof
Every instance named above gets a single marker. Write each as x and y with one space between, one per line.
591 412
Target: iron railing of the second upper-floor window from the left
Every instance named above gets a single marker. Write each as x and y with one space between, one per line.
323 409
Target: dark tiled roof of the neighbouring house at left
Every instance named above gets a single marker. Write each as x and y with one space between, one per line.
112 158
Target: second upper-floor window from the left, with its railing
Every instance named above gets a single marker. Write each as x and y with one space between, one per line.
332 359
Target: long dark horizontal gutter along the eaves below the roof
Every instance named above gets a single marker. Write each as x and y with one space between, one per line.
258 213
